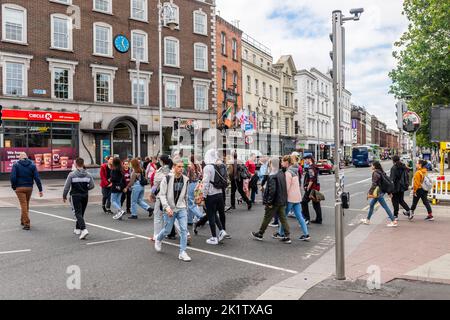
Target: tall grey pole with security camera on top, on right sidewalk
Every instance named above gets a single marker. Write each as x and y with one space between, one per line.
338 57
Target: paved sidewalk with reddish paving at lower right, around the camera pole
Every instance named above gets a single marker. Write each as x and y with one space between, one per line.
414 255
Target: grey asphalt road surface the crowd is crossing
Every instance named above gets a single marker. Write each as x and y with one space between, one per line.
117 261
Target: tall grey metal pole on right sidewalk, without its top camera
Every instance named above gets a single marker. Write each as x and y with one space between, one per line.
337 93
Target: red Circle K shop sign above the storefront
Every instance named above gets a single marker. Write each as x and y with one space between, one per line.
30 115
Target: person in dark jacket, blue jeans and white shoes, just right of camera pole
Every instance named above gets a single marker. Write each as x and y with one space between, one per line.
381 184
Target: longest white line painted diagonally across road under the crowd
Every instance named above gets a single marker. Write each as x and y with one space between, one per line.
173 244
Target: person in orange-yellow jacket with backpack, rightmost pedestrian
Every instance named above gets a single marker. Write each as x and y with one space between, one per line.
421 186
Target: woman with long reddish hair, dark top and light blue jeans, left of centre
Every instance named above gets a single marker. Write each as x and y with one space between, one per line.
137 184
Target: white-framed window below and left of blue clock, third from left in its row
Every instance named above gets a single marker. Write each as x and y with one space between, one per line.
103 83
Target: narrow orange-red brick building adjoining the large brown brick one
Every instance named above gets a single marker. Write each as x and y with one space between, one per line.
229 71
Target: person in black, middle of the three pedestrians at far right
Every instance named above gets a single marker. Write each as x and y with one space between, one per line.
400 178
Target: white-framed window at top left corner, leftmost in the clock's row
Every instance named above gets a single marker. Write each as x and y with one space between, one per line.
14 23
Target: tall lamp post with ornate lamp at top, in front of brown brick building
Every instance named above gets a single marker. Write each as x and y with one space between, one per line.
172 23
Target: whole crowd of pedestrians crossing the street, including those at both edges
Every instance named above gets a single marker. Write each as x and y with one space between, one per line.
184 194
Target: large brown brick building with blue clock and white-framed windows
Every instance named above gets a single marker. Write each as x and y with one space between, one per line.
62 56
